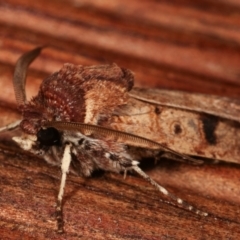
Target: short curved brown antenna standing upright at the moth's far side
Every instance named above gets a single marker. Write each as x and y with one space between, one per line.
20 72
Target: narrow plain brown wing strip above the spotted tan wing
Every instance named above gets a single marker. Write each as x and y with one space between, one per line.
218 106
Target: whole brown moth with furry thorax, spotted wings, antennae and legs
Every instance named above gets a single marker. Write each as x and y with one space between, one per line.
89 118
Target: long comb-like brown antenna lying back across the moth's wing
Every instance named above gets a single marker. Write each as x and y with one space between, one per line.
127 138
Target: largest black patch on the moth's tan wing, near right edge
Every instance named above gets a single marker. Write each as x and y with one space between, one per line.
209 124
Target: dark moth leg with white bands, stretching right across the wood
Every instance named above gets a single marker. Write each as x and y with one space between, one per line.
164 191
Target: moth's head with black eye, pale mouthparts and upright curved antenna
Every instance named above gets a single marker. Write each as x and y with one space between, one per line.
35 135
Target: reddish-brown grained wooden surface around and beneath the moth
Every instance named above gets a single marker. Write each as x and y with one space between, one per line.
185 45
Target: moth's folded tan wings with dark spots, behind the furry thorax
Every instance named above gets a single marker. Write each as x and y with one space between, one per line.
202 131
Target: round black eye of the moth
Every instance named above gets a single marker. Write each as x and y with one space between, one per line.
48 137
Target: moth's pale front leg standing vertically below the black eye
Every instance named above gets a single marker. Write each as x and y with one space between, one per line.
66 160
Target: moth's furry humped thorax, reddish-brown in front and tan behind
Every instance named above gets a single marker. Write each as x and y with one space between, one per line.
77 94
